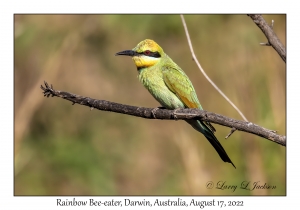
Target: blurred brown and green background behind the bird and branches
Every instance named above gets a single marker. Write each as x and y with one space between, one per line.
62 149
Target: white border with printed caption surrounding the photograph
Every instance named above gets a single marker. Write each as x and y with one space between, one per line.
8 201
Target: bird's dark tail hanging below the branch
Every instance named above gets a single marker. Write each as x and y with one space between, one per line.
201 127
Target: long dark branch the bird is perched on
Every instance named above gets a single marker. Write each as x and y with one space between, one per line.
165 114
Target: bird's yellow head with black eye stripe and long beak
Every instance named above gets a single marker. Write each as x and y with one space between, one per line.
147 53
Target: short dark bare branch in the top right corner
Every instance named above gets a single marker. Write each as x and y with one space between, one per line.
270 34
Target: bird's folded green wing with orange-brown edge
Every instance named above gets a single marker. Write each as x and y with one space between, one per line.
178 82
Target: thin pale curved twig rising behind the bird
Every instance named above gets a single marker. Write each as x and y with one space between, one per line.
203 72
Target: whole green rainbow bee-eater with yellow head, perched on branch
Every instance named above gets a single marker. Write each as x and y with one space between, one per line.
170 86
